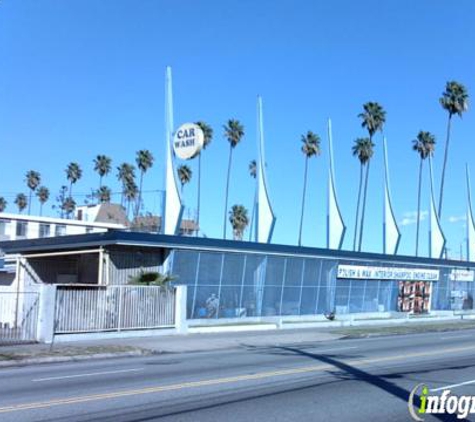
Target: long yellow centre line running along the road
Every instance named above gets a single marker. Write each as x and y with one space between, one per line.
226 380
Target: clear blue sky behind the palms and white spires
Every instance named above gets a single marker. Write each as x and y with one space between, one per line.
80 78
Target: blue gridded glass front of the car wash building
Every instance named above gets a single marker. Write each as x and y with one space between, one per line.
242 284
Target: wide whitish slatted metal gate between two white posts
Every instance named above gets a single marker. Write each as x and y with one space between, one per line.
113 308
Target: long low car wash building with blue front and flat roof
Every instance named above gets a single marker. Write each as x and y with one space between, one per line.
231 279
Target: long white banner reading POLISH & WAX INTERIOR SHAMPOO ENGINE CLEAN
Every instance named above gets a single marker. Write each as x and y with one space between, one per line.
362 272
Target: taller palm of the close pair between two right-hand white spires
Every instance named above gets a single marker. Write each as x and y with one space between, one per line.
373 119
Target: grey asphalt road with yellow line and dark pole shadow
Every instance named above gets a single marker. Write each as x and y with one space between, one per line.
344 380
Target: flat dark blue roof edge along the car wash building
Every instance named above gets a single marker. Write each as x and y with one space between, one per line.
159 241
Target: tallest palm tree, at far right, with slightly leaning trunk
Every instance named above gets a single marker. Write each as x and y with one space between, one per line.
455 101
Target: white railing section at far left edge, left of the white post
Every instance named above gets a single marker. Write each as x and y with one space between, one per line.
18 317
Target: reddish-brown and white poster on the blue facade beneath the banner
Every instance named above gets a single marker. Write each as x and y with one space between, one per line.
414 296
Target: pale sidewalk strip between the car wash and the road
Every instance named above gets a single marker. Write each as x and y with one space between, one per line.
16 355
